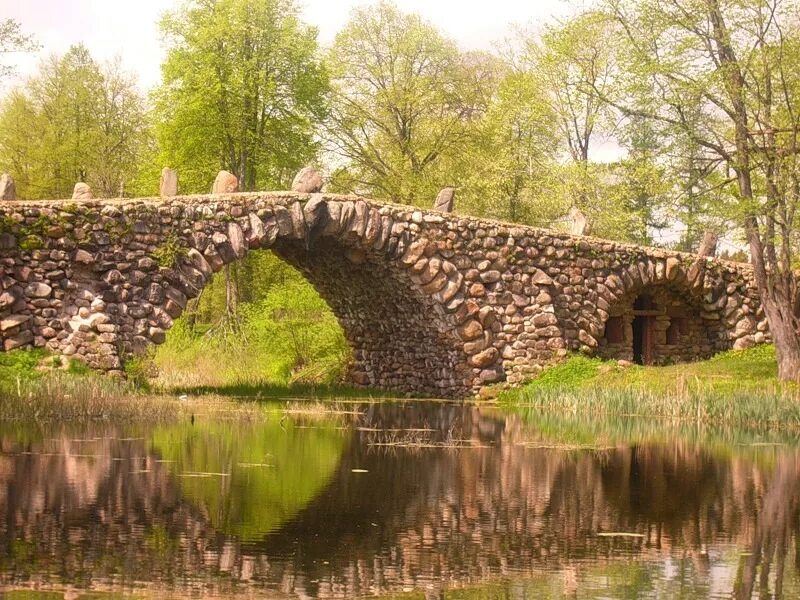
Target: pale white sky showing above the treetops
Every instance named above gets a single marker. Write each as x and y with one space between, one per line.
129 29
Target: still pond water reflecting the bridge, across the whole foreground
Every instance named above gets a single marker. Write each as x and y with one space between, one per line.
398 500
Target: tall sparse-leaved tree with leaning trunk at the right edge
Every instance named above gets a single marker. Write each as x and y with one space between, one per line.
724 74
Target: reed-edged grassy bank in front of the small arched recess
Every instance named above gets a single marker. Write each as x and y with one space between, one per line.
736 387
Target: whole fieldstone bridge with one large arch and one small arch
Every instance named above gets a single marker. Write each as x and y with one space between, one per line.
430 302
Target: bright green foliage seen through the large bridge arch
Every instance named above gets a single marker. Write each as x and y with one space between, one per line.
286 333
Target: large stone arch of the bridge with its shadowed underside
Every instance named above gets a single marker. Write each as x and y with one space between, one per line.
399 301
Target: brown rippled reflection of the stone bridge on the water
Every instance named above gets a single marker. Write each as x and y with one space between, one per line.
420 517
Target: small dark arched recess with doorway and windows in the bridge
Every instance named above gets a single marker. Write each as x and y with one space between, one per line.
660 324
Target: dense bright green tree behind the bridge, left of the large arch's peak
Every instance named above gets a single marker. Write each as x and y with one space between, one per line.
242 89
